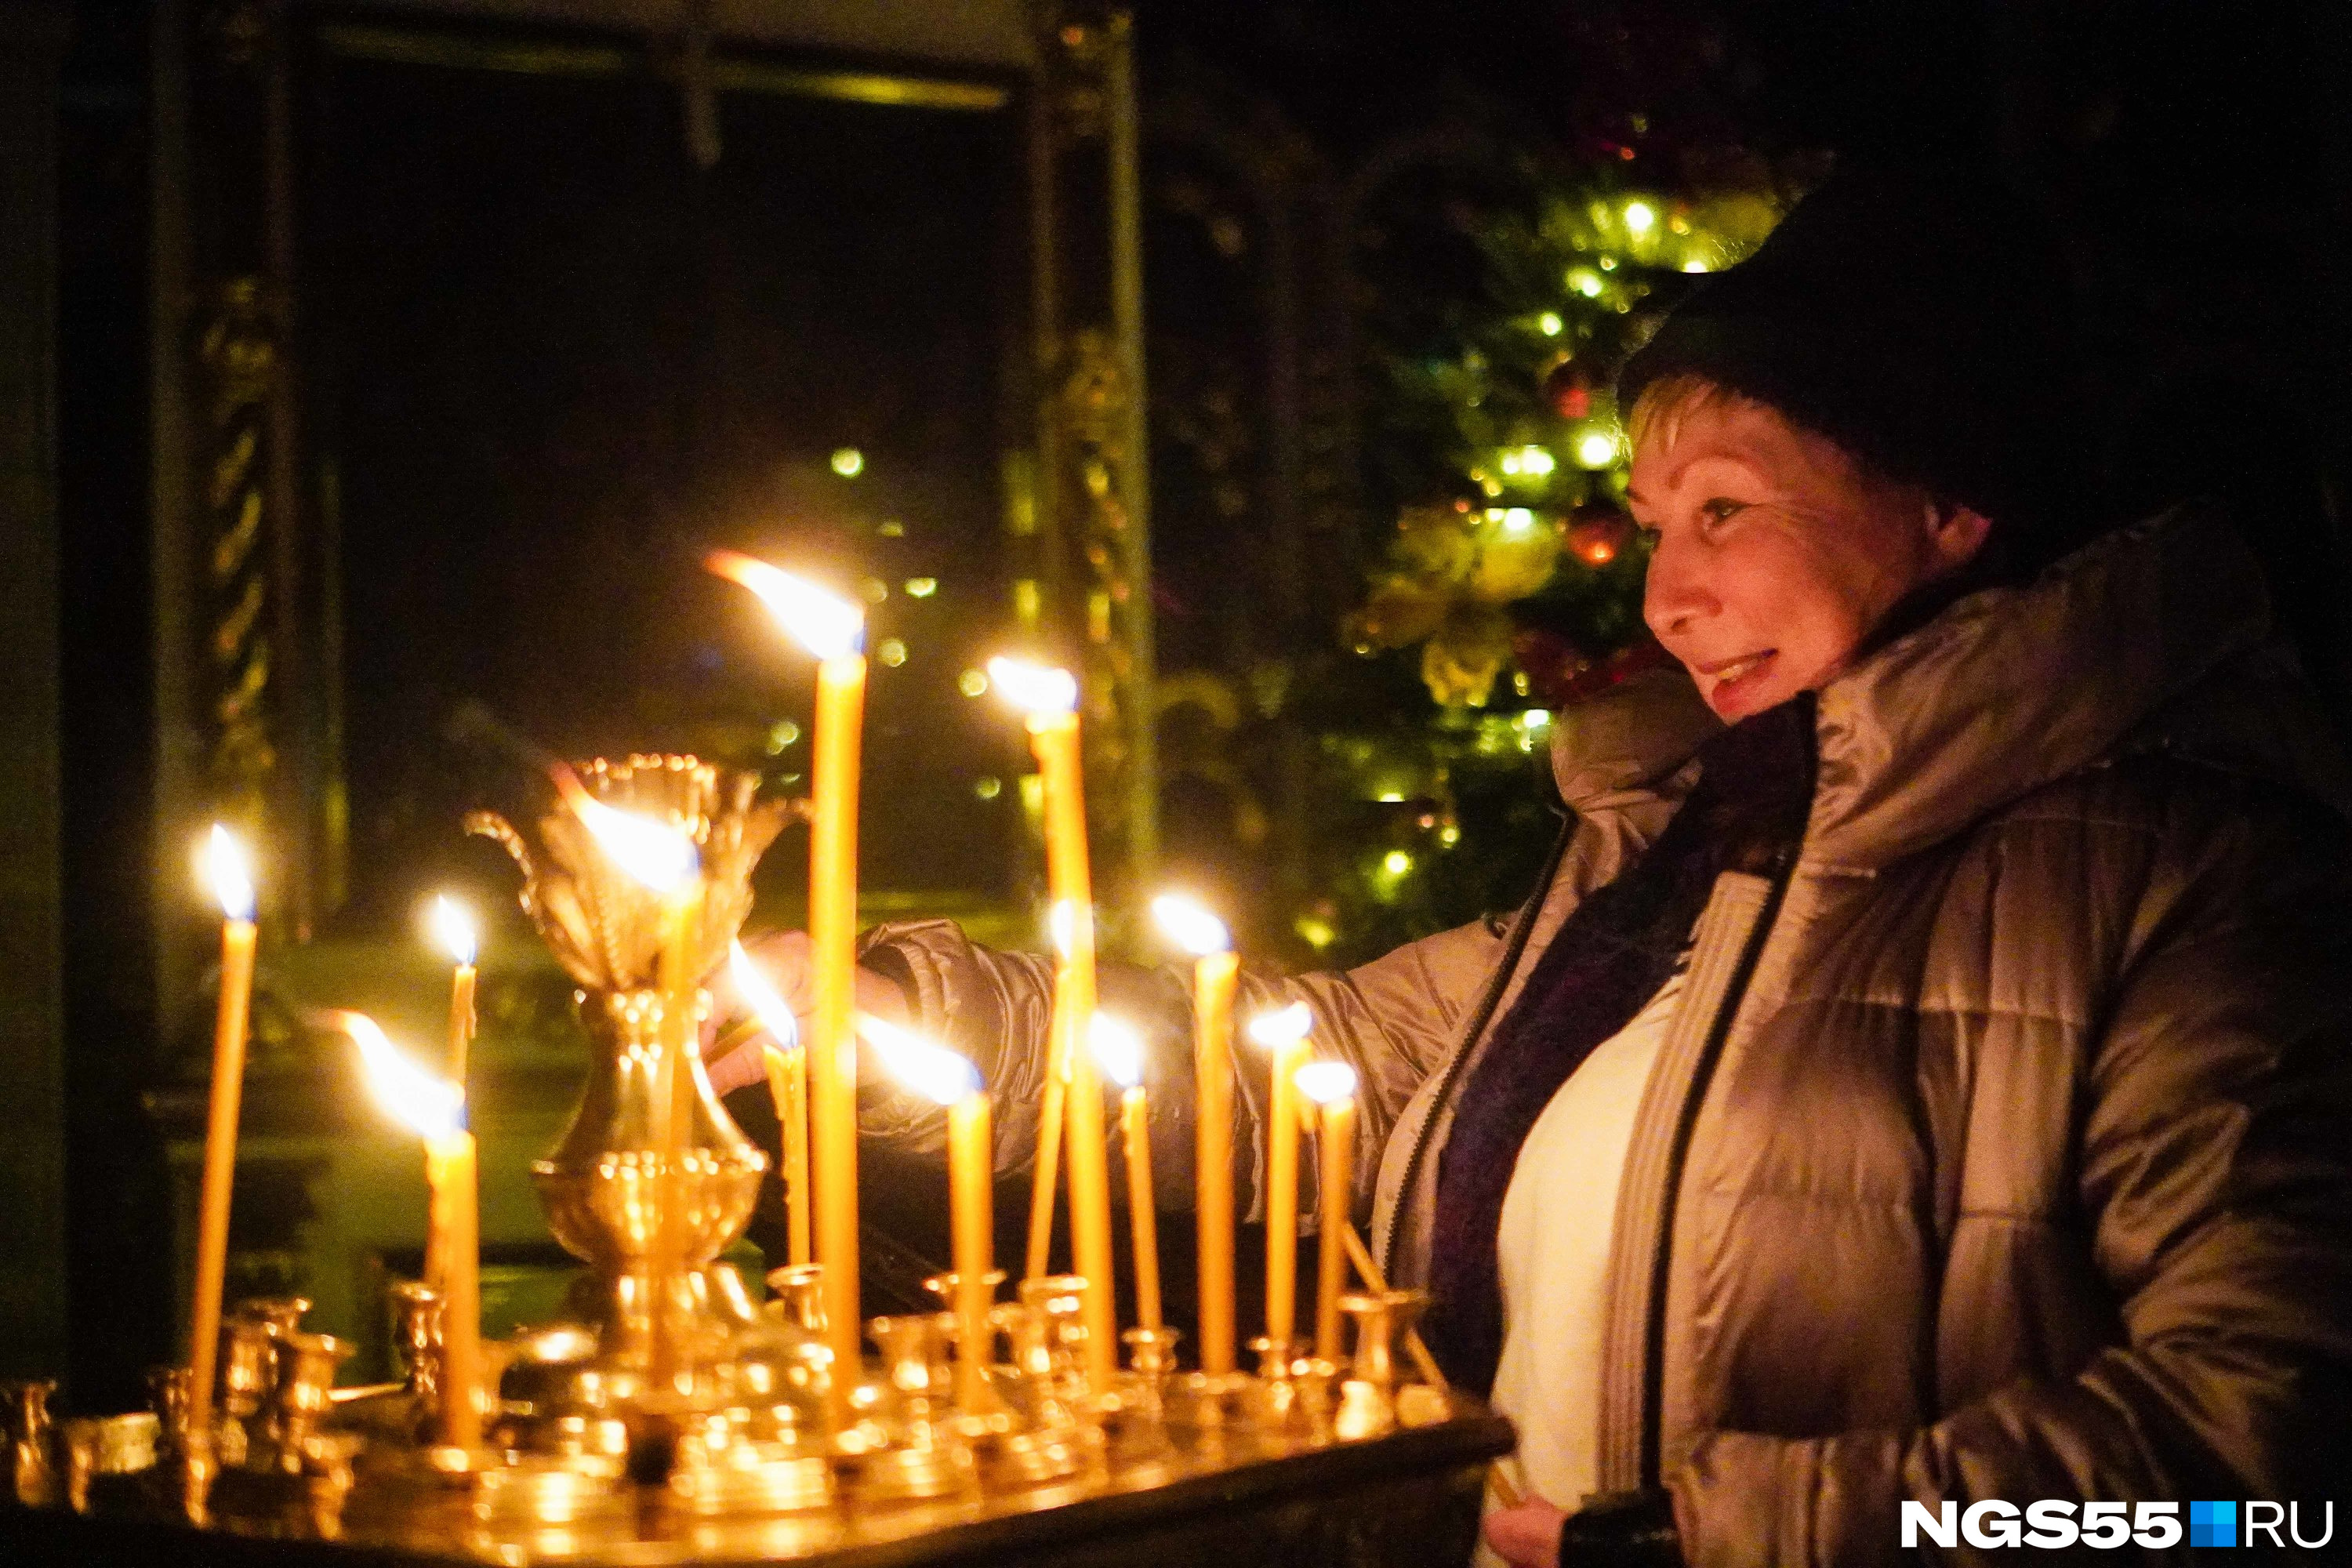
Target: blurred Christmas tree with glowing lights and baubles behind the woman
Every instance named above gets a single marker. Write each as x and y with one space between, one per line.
1514 579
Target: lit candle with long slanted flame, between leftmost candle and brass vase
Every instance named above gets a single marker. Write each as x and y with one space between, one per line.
436 1111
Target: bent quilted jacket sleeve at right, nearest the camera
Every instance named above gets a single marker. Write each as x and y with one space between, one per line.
2214 1167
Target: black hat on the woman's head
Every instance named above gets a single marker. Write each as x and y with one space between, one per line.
1923 321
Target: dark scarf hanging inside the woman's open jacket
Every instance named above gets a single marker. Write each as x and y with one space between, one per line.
1610 958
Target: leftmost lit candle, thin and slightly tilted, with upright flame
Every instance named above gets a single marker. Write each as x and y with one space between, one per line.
234 885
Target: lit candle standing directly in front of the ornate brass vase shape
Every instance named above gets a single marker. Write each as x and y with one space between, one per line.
669 866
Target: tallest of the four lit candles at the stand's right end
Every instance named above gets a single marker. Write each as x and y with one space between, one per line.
1215 974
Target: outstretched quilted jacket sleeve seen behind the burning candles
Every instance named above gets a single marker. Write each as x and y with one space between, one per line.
1391 1019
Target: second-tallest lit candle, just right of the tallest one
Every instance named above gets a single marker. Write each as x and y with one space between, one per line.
1050 706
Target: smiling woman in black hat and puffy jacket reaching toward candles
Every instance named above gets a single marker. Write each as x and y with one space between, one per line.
1923 1073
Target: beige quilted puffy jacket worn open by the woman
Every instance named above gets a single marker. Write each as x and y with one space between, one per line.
2000 1151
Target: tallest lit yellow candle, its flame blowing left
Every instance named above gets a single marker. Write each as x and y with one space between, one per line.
836 631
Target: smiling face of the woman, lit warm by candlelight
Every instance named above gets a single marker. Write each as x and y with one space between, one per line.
1775 554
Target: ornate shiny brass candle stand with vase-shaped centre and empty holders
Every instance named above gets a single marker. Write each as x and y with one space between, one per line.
669 1416
